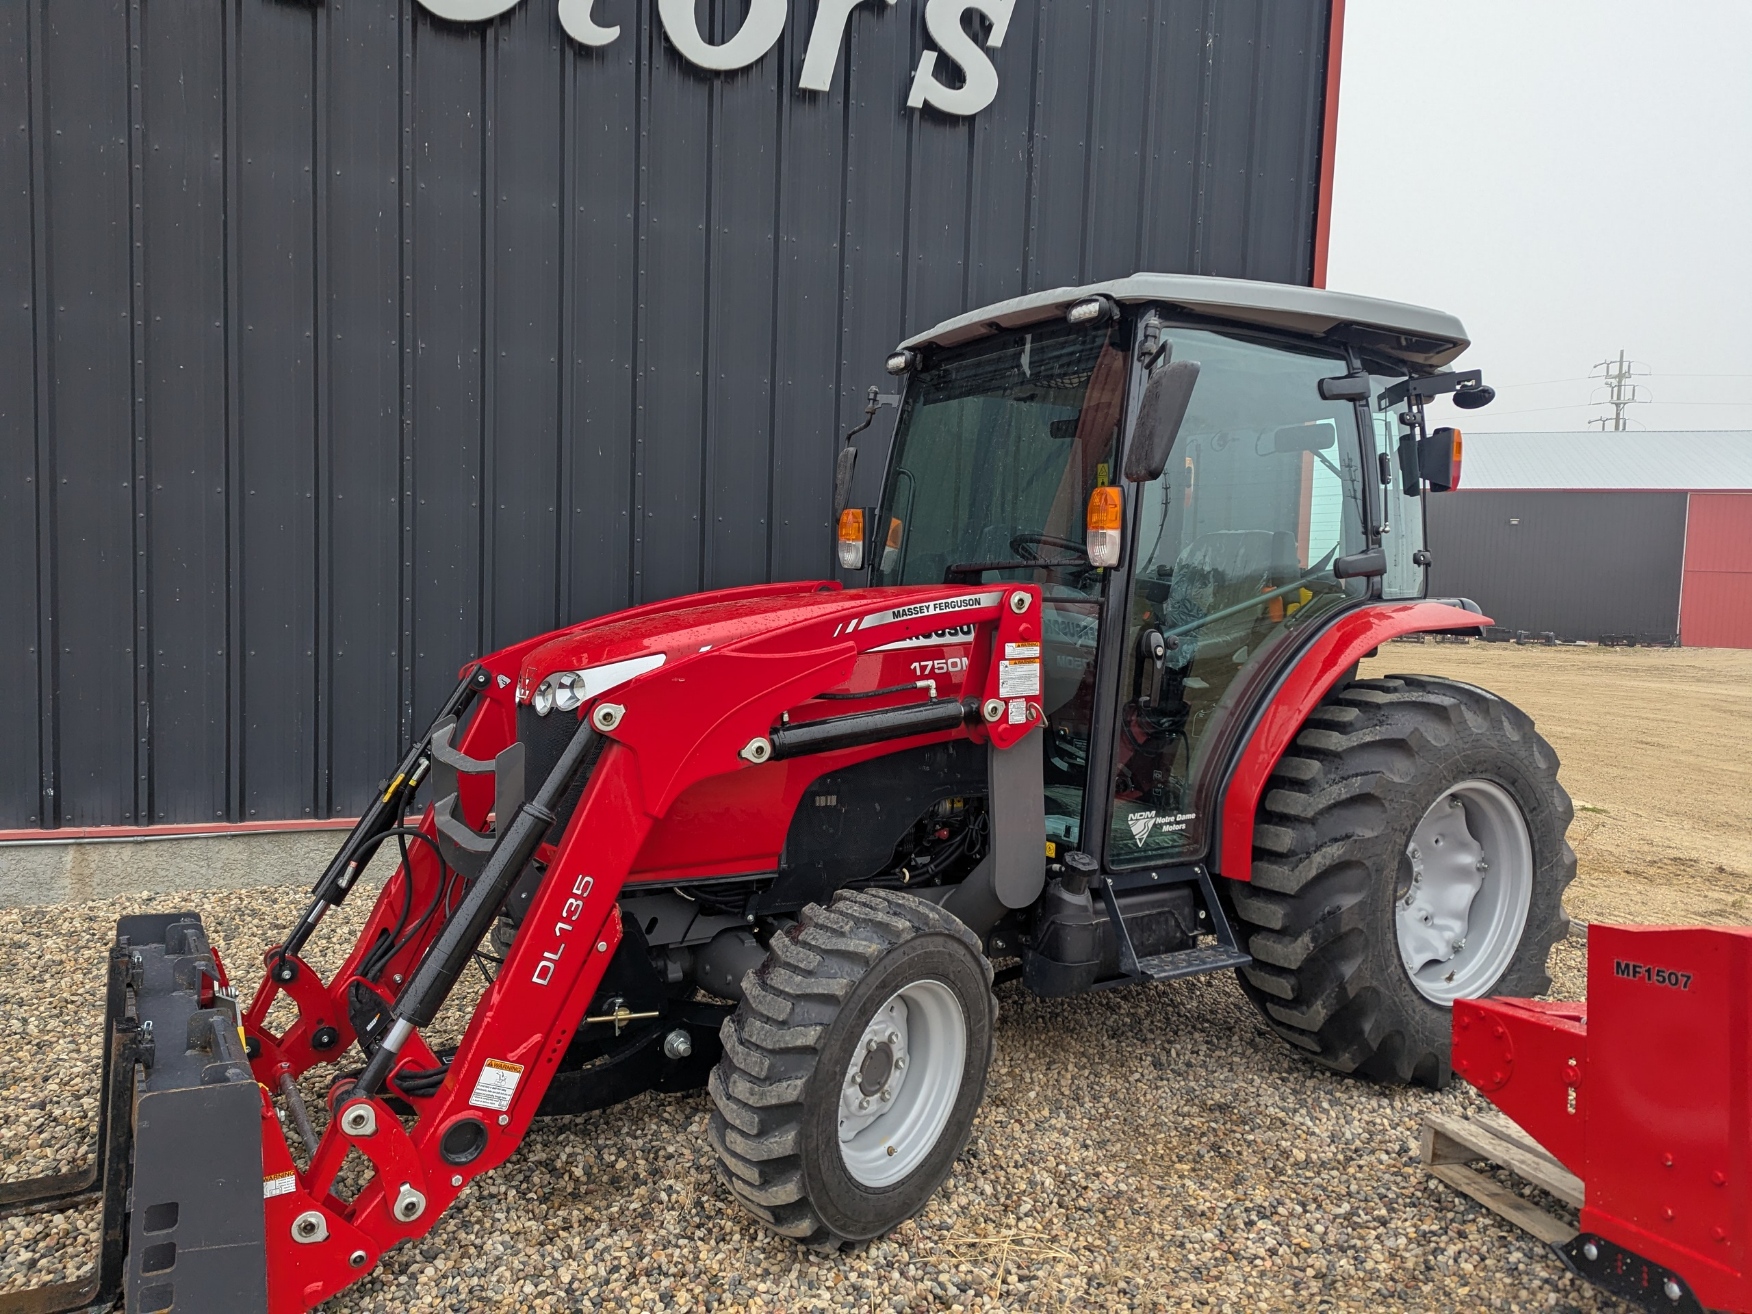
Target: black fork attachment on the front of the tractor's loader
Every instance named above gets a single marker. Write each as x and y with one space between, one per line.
178 1159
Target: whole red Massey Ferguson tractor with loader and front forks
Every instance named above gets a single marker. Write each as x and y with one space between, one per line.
1084 714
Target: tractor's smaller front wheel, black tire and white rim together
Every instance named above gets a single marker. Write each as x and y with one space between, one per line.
854 1068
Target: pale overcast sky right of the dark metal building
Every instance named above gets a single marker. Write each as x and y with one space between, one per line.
1571 178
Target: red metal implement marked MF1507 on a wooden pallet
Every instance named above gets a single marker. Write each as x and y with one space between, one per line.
1642 1094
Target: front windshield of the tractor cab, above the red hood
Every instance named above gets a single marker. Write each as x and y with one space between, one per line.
996 455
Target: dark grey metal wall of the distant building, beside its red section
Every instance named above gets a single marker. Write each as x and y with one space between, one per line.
1579 565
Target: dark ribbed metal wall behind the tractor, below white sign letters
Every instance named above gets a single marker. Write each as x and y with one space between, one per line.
339 344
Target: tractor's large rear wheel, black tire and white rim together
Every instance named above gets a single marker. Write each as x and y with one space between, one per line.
1348 831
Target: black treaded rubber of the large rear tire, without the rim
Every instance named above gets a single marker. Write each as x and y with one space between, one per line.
1329 847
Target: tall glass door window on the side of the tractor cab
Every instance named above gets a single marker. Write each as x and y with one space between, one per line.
1236 549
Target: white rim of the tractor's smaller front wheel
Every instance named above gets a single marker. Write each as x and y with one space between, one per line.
901 1085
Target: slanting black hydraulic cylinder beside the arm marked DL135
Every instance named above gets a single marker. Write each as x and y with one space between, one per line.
456 943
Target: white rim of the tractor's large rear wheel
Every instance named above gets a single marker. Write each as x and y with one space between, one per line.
1462 914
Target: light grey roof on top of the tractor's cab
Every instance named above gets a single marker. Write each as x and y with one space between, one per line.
1420 337
